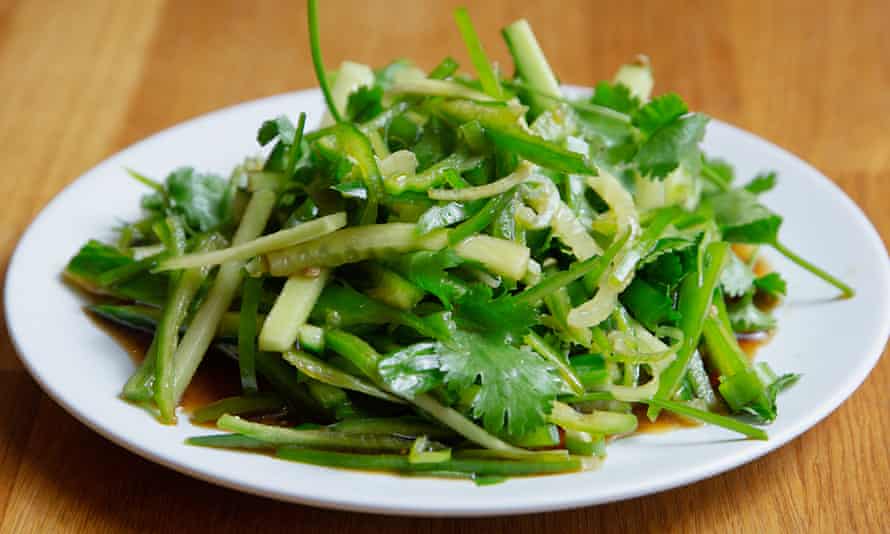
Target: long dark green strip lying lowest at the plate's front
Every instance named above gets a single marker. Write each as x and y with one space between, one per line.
396 463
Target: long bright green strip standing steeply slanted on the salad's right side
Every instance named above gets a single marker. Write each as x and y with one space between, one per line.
696 293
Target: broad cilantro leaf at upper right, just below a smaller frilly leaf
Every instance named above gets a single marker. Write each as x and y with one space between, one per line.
672 145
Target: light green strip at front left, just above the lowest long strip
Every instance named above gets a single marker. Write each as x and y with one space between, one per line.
328 439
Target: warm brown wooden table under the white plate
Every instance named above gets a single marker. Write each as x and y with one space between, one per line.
80 80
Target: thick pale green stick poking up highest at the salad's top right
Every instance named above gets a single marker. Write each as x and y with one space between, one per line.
531 64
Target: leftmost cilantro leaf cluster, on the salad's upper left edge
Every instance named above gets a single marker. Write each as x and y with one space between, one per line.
203 200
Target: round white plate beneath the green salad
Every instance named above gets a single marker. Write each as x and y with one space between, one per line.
833 343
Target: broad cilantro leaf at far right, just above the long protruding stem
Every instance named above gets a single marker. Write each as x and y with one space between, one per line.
743 219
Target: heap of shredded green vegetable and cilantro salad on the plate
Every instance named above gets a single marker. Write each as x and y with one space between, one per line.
454 275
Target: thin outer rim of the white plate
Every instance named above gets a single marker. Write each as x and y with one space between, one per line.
543 503
